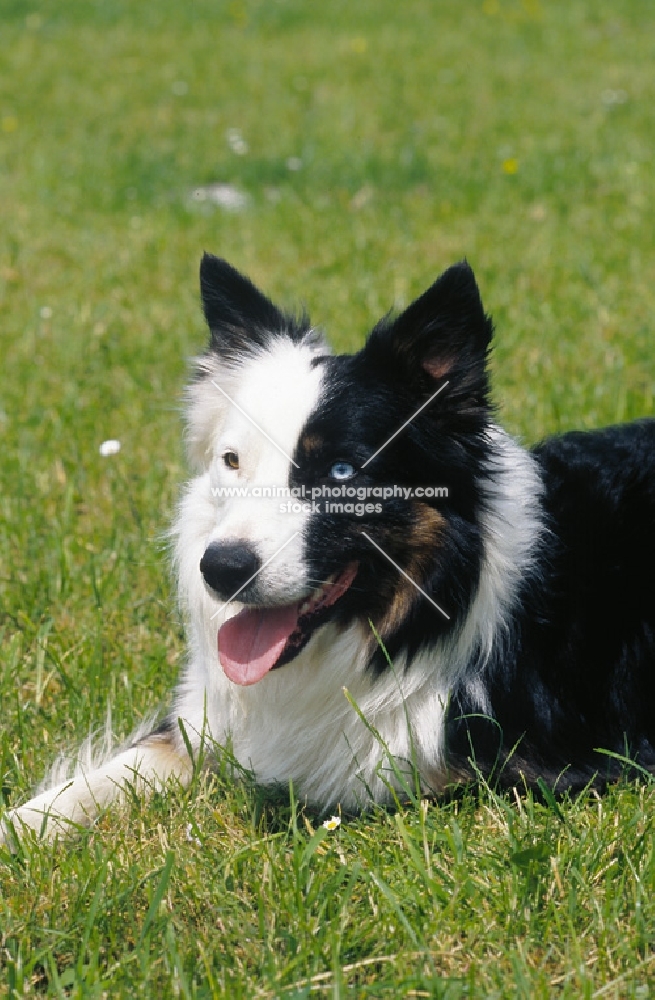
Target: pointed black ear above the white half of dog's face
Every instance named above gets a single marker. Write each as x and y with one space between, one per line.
240 317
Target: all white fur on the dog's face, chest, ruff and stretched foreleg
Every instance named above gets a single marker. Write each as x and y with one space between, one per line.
297 723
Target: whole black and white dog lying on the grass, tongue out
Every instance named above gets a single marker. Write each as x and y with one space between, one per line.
359 532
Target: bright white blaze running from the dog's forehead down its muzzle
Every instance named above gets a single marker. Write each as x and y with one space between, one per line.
278 390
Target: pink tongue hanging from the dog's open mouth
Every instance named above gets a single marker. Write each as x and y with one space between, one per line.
251 643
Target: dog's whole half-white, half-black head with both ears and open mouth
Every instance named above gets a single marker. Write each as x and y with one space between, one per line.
300 450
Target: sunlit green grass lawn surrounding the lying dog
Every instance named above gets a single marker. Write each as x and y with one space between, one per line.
519 134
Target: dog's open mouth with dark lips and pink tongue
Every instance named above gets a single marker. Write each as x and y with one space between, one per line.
260 639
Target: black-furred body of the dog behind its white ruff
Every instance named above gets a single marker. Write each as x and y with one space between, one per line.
580 675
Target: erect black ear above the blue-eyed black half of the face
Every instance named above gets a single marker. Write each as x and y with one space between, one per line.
444 334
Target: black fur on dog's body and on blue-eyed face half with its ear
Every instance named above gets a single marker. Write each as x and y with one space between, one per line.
577 674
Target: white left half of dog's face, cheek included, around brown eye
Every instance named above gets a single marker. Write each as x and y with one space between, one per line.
277 389
